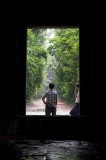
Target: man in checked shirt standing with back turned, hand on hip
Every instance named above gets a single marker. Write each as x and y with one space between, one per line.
50 100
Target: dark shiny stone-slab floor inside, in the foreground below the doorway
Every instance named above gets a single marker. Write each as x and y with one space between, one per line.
52 150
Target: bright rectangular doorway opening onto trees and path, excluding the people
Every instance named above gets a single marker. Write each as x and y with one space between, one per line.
52 56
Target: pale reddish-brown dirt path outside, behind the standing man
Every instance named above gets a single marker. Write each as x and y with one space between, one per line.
38 108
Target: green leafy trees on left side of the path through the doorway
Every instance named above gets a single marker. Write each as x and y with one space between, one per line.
36 60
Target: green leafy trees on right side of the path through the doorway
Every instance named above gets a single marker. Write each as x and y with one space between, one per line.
66 43
